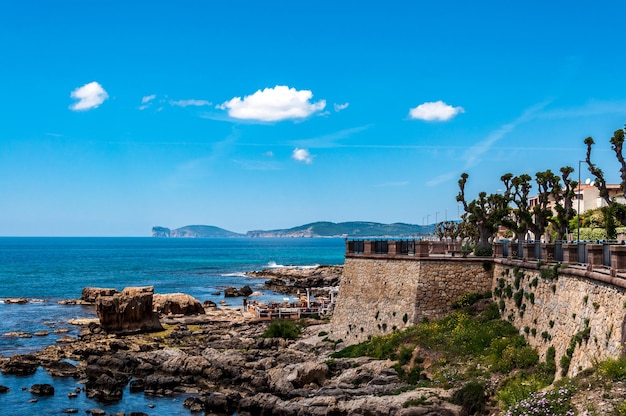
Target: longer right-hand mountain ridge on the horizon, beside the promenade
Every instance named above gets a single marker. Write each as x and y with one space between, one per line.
346 229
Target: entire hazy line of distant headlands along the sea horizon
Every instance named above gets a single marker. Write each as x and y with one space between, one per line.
315 229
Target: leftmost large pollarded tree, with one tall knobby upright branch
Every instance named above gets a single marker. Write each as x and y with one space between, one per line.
485 212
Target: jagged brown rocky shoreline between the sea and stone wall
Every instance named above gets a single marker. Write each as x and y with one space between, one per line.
220 359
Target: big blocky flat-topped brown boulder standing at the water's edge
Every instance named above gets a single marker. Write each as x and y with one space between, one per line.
128 312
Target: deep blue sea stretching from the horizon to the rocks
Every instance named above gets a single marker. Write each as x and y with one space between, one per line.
46 270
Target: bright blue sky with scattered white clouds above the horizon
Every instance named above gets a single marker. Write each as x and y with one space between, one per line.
118 116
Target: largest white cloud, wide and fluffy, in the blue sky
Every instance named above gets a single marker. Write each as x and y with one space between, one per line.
273 104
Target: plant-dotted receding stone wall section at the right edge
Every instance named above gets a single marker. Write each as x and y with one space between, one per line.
576 310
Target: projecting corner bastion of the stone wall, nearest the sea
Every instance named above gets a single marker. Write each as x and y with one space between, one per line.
379 295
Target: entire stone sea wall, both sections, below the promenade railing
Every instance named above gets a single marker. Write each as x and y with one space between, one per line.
575 307
